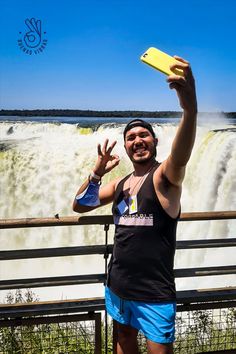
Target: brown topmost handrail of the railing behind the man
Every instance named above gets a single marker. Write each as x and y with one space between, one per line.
102 219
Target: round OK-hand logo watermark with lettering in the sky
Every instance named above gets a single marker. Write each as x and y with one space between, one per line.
32 41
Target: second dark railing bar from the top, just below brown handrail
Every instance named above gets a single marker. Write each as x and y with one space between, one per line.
101 249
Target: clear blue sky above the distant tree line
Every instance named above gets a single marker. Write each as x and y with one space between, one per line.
91 60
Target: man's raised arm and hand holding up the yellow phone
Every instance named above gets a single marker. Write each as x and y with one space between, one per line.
174 166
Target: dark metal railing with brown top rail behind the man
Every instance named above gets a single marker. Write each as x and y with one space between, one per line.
190 300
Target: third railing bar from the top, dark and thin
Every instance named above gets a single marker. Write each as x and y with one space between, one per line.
100 278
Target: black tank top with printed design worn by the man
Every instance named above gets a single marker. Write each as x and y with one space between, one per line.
141 266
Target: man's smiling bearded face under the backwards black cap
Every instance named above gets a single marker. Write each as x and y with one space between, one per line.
140 145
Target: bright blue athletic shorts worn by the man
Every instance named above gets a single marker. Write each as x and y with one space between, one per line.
155 320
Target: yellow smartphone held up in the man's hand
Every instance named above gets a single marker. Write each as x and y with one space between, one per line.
160 61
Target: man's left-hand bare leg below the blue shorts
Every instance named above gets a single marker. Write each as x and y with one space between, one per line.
126 339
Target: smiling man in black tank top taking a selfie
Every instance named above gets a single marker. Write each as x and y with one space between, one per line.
140 292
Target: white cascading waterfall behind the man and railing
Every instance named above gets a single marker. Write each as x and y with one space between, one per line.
42 165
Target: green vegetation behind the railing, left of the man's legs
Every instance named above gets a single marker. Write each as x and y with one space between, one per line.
50 338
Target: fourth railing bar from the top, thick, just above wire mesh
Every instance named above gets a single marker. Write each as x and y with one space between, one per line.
186 298
